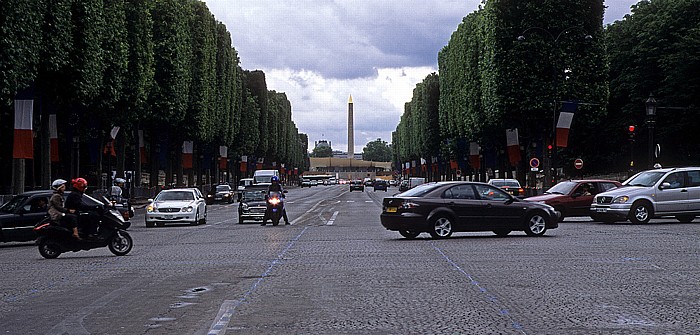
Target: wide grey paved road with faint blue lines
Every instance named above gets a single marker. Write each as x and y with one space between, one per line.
335 270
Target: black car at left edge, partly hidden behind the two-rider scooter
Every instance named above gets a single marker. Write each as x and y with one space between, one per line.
19 215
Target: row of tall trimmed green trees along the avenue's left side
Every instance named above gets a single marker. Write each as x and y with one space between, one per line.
163 67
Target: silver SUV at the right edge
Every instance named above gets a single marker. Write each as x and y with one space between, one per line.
669 192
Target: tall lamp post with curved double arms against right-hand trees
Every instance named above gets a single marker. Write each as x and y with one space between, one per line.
551 170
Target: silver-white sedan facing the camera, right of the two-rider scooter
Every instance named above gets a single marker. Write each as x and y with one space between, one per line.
177 205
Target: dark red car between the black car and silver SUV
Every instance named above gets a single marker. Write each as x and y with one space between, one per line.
570 197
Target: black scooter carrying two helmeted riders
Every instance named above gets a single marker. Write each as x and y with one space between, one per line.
53 240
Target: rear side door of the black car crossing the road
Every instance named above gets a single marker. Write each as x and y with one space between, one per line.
464 203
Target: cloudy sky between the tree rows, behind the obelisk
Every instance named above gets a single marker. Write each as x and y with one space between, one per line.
321 51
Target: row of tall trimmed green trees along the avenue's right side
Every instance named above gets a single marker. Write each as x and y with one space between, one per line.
516 64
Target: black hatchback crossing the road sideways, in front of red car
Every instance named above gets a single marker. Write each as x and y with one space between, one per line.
446 207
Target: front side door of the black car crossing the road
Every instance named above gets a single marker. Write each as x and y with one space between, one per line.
499 209
